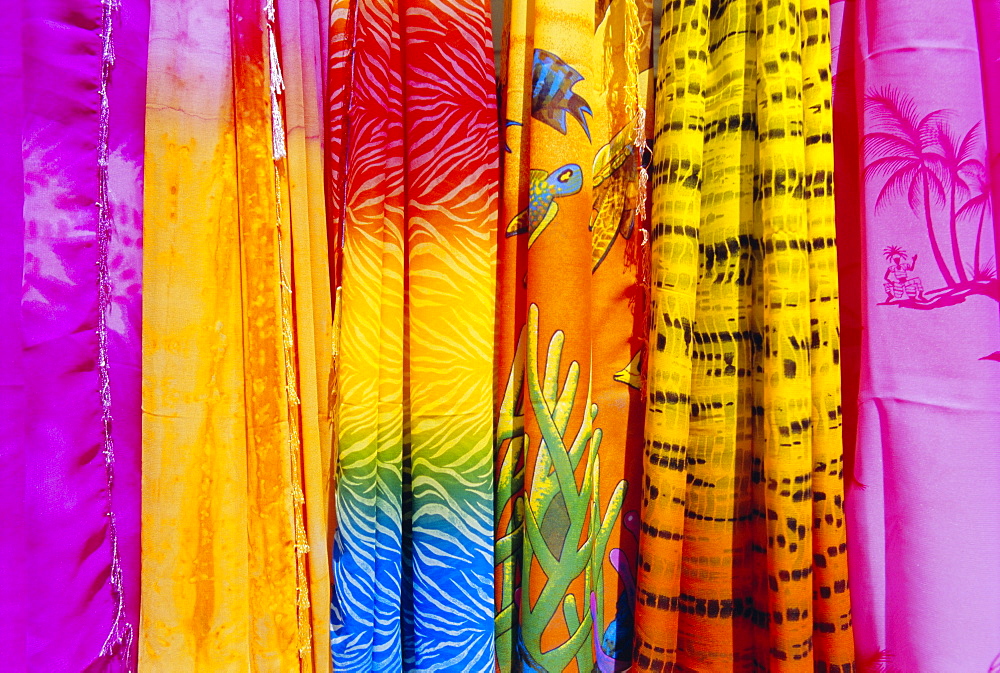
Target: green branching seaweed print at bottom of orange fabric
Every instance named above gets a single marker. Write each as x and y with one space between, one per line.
548 520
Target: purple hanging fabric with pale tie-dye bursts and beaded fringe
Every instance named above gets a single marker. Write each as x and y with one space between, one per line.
73 80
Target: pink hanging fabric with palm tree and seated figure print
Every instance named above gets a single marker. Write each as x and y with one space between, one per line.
921 308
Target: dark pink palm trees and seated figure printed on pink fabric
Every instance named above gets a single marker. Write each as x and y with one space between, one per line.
922 160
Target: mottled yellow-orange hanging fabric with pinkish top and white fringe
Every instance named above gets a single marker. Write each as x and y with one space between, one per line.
237 341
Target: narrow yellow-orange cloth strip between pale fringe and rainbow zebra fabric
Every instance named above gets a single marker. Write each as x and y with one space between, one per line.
310 308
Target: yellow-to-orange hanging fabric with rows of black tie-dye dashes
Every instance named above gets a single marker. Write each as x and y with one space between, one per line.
743 563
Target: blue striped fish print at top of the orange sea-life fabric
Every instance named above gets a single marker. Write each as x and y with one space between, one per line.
552 95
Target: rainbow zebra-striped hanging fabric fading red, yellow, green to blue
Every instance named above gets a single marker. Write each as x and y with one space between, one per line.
412 185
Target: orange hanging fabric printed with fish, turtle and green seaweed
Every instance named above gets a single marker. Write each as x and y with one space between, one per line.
571 332
